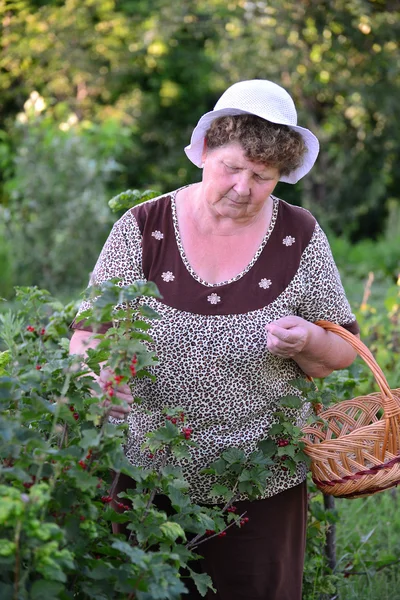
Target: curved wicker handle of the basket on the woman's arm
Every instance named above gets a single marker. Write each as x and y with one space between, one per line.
389 405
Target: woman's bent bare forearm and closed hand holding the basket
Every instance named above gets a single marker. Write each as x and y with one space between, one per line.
316 351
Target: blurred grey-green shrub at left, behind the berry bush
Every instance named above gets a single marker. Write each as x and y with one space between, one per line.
57 214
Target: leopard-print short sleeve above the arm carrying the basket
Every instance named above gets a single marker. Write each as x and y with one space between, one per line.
324 296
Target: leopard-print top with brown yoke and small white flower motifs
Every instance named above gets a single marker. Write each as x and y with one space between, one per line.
210 339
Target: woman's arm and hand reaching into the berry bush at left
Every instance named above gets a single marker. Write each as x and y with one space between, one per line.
79 344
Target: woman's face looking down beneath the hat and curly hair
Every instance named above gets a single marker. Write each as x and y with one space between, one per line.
232 185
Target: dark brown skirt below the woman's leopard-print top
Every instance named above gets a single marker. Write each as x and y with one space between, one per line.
264 559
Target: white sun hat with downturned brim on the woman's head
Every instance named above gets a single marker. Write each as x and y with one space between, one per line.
264 99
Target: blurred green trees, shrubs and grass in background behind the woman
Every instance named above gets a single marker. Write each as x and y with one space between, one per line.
98 96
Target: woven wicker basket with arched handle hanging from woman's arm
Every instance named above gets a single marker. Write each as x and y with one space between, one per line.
355 448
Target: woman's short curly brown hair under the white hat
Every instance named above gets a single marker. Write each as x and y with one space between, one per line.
262 141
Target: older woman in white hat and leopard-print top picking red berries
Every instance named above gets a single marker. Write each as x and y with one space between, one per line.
243 277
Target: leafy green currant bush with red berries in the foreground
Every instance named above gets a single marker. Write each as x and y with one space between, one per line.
59 450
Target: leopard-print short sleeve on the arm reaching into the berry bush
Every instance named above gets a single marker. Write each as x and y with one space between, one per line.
121 257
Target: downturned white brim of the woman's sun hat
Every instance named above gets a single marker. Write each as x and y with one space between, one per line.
194 150
